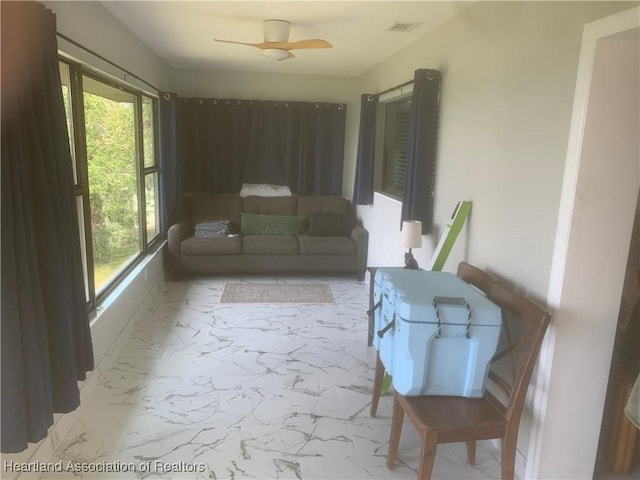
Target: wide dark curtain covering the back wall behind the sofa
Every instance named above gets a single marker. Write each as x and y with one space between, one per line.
222 143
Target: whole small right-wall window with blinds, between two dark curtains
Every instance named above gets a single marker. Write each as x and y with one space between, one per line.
391 148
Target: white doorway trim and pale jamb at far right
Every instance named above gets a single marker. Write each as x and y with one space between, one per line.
597 207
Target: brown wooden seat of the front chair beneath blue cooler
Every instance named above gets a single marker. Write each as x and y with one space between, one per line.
451 416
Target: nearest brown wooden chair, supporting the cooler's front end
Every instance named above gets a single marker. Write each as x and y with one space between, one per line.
459 419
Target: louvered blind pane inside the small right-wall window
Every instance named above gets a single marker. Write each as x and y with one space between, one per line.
397 119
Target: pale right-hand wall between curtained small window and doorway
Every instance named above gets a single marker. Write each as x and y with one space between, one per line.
509 72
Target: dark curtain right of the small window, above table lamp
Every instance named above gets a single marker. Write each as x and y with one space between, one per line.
417 203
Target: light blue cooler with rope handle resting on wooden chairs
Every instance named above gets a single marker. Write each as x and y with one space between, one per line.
445 334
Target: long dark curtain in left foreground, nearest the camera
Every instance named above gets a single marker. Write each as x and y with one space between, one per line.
46 342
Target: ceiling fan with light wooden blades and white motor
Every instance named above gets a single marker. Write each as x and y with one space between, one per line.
276 43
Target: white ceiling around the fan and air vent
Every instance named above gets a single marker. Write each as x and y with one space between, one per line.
182 32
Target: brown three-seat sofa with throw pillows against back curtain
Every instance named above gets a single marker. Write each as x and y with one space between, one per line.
224 233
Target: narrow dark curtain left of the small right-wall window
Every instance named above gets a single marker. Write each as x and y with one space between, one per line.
363 183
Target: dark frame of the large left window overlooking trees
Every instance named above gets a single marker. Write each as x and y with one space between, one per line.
78 145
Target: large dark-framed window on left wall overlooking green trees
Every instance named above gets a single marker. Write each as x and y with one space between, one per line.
113 140
